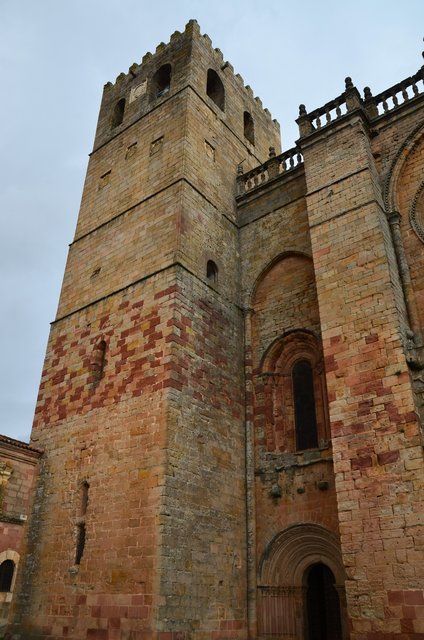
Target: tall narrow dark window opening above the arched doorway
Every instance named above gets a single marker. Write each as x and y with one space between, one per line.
304 406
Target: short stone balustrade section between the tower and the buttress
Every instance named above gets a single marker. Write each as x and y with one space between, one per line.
275 166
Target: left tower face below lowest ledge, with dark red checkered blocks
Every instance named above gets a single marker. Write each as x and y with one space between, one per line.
109 432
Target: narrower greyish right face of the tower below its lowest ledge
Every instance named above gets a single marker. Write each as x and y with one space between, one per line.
203 571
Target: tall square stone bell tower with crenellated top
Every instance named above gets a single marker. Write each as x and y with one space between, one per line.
140 527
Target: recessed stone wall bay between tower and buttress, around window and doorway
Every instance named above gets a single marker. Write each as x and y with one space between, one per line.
291 488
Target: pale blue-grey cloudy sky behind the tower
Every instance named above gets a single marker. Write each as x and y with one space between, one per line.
55 57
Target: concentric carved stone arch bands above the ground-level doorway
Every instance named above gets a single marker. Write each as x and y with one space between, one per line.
290 552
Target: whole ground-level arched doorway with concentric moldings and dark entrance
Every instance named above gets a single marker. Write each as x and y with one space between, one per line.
301 592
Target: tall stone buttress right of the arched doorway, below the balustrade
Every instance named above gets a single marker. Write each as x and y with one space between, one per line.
375 433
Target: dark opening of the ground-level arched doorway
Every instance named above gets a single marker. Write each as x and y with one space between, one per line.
322 605
